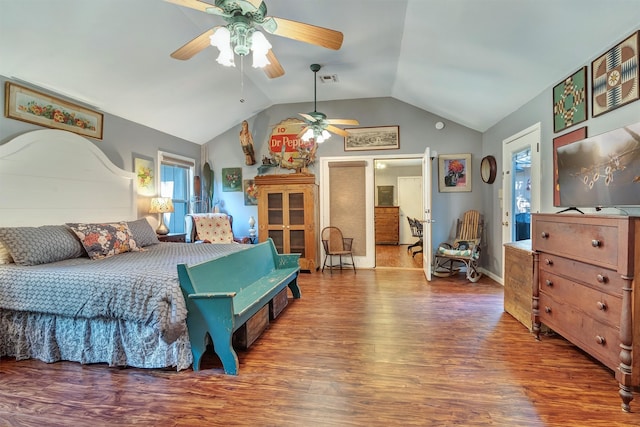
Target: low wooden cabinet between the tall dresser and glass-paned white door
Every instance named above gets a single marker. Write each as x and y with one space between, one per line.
518 281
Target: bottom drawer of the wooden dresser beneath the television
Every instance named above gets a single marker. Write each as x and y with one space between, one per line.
583 331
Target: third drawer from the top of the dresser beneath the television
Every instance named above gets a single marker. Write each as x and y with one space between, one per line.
599 305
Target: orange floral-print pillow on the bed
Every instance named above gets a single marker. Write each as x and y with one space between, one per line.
105 240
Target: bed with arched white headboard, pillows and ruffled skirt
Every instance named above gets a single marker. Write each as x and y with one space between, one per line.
124 308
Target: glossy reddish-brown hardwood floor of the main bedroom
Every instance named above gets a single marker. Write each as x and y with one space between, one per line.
377 348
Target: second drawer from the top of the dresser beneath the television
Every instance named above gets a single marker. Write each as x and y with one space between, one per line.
597 277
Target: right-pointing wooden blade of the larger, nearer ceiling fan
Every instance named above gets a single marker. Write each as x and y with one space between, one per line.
331 39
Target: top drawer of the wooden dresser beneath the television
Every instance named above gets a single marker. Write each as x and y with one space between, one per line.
589 242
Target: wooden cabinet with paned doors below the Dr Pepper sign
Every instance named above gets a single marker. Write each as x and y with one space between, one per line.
288 214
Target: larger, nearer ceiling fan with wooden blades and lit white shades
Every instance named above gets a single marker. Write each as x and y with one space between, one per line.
241 35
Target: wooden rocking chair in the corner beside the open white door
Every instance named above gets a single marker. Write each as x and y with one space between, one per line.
463 251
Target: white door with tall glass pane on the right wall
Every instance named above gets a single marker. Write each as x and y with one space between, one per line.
520 184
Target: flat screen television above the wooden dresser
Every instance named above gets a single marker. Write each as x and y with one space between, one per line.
600 171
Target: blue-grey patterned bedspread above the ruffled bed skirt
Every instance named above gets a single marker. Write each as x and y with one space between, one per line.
135 286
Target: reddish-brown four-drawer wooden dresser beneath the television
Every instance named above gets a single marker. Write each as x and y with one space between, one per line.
585 269
